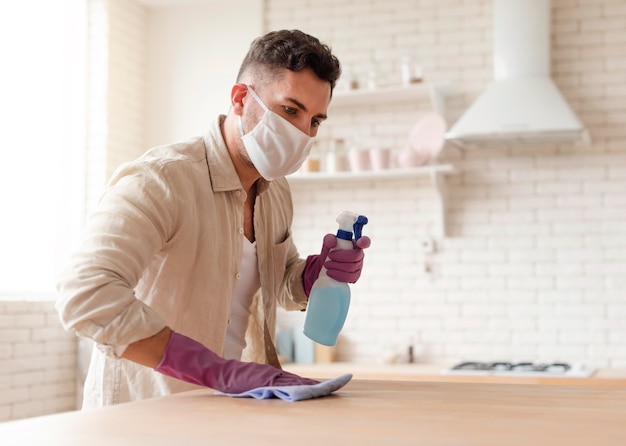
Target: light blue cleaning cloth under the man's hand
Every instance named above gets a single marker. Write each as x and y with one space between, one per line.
295 393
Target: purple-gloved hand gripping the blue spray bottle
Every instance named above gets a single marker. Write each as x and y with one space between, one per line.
343 265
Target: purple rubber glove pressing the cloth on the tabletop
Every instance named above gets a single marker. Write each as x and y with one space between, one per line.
190 361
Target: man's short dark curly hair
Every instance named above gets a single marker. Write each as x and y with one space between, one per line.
295 51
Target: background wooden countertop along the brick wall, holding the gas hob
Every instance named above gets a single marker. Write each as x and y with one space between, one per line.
430 372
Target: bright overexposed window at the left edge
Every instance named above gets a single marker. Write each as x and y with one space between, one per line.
42 112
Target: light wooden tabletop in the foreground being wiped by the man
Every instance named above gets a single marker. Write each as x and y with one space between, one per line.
364 412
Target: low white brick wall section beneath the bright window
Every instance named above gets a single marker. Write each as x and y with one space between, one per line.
37 361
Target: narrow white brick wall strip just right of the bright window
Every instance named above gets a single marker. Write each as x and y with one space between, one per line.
117 73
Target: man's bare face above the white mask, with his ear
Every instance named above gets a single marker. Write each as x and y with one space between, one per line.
299 97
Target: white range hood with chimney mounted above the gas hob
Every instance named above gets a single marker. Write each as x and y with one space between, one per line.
522 105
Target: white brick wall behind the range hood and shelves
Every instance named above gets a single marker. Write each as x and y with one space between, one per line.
534 265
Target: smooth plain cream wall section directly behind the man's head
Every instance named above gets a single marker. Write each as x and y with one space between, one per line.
194 49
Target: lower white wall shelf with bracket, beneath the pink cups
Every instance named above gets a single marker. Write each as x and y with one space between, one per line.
434 172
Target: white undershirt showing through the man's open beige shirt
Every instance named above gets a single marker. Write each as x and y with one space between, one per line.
248 283
